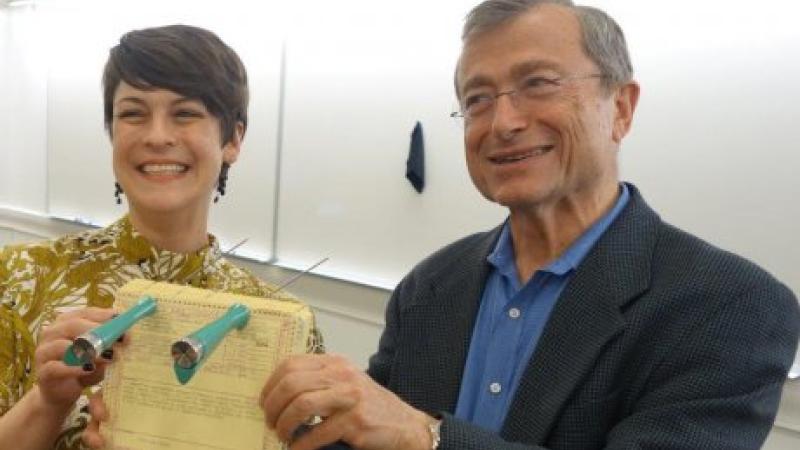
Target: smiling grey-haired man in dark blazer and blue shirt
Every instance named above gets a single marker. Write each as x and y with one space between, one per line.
583 321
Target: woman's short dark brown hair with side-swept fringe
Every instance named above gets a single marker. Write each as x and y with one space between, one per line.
188 60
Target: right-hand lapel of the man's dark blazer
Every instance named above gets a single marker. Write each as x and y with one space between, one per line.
586 316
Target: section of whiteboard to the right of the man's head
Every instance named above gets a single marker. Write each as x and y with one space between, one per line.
714 145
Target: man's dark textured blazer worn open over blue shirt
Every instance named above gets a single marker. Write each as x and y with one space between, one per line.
660 341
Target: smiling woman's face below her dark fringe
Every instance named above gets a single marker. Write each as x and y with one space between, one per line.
167 150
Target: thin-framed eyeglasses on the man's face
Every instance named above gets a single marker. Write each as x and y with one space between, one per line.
530 91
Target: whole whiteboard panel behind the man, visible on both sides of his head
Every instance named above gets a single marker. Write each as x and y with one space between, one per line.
714 146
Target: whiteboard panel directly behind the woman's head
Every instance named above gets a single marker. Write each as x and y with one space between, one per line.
79 152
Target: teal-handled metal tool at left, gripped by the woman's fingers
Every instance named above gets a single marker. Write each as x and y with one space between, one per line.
86 347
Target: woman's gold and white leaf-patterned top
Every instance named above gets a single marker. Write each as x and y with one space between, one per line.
40 281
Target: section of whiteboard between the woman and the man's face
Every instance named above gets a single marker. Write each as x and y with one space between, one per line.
358 79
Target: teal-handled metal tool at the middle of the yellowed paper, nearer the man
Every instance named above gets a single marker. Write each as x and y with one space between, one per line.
192 351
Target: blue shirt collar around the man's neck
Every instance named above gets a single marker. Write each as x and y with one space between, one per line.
502 257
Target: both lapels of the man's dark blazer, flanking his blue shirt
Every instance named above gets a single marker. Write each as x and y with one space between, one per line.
587 315
